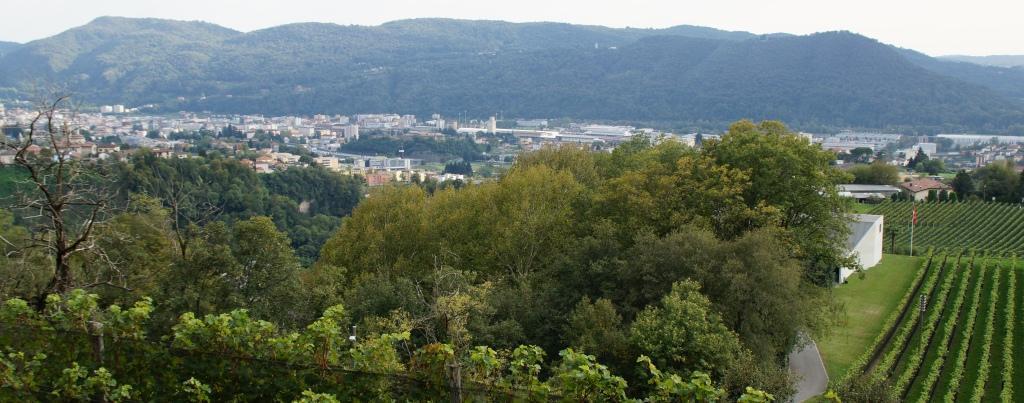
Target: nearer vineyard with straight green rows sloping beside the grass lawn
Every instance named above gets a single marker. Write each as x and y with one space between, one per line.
954 336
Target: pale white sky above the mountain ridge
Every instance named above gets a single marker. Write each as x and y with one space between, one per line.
935 27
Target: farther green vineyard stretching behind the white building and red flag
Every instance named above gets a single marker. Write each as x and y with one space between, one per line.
996 229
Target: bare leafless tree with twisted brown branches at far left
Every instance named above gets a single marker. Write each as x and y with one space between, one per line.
63 199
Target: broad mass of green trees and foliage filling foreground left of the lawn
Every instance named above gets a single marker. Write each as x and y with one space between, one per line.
708 264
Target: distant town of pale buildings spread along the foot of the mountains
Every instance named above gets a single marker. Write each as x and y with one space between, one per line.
274 144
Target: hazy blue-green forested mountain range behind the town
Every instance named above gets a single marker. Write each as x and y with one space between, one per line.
685 77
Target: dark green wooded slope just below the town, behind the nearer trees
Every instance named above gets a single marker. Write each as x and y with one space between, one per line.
306 203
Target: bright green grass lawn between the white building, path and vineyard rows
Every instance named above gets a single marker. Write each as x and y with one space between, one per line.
869 302
